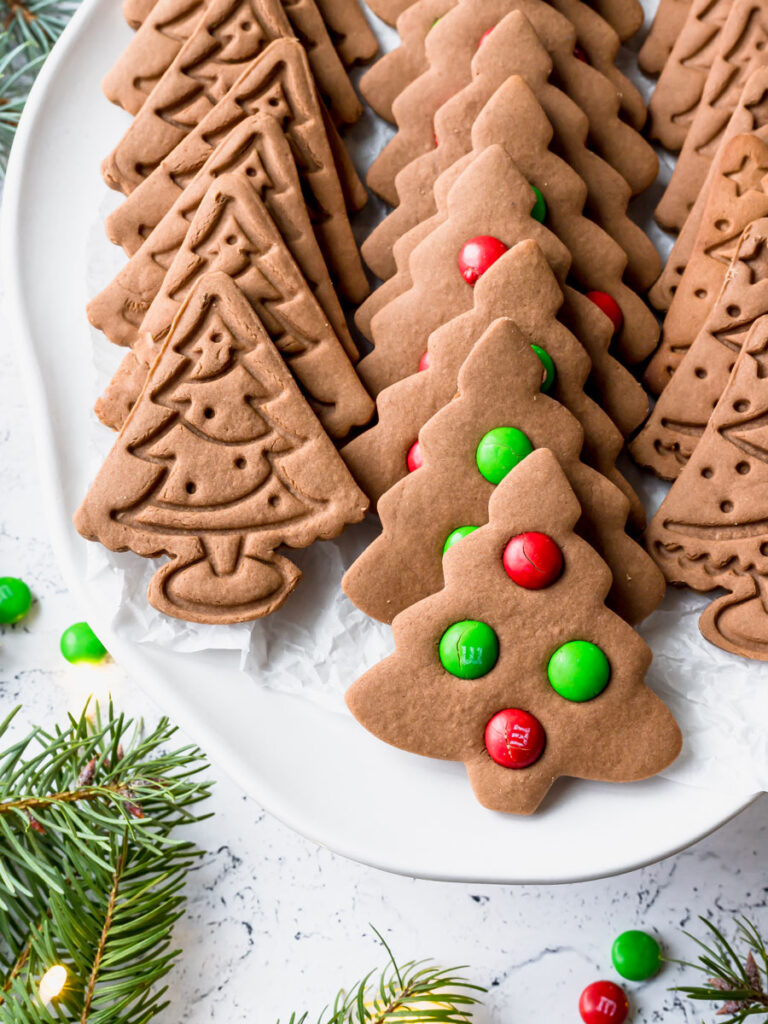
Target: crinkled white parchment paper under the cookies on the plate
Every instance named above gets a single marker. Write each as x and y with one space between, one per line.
320 644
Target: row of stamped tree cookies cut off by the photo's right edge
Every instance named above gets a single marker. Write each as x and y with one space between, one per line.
706 432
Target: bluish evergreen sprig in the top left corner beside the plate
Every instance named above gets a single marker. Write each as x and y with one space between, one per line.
28 31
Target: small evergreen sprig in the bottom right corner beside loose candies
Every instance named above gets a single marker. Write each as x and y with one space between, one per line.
737 979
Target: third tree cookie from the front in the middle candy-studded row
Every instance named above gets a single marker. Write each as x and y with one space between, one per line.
522 287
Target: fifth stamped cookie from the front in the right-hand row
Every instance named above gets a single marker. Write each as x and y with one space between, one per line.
742 48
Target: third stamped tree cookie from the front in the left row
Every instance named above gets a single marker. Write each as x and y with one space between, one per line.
259 146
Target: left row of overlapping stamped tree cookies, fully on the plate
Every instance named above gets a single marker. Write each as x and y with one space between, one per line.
239 374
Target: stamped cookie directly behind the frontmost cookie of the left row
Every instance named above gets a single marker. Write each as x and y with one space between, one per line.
233 232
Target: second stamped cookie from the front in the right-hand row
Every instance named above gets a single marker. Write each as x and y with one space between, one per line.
680 416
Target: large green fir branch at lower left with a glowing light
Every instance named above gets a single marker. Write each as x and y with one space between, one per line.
92 867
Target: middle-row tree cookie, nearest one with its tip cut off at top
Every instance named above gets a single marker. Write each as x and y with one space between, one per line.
451 46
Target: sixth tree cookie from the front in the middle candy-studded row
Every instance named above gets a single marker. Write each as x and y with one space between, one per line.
515 49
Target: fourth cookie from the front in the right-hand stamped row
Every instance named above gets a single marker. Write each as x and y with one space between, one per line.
750 117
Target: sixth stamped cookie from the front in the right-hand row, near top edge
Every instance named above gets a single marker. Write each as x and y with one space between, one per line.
678 93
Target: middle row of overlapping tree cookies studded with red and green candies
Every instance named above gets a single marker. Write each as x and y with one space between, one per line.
503 339
